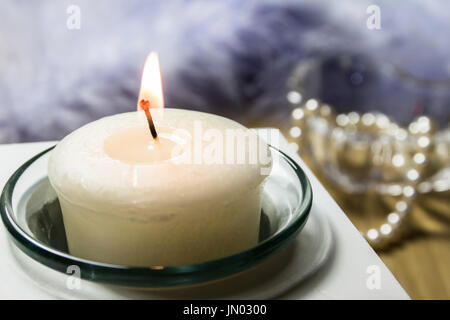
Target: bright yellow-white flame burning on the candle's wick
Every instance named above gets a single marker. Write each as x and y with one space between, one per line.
151 94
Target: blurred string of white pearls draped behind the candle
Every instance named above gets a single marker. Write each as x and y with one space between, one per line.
419 132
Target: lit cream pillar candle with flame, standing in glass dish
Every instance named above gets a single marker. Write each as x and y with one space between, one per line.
184 197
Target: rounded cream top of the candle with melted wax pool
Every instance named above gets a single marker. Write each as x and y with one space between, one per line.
112 162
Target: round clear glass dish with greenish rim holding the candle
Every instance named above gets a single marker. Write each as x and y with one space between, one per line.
30 211
